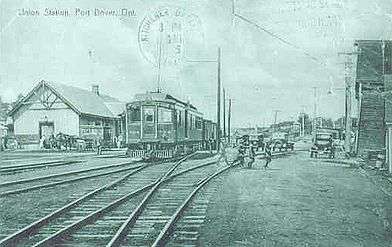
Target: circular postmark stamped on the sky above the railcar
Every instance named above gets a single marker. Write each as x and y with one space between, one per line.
163 34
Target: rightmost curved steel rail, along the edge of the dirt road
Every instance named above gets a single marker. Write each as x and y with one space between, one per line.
167 229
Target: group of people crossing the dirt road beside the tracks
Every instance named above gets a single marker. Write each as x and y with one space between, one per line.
246 150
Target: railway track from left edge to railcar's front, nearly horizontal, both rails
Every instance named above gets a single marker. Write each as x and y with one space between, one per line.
26 185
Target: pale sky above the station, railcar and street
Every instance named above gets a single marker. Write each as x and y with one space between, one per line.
273 52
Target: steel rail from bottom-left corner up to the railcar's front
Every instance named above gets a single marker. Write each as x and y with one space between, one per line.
13 238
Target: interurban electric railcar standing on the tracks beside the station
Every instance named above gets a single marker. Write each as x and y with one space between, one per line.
159 124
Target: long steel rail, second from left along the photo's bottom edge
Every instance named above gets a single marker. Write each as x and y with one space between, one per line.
98 213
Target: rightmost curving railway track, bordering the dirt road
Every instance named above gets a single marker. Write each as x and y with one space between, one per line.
153 221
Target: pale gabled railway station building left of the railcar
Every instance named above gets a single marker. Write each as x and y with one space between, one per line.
52 108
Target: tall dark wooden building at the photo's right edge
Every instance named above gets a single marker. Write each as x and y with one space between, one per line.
373 68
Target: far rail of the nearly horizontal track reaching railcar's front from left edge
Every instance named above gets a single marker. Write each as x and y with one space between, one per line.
65 174
